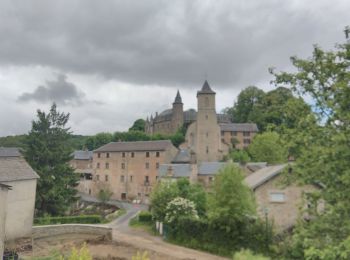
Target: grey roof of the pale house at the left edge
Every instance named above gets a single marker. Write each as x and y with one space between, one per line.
15 169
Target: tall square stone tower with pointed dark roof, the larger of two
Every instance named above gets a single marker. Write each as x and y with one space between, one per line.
207 145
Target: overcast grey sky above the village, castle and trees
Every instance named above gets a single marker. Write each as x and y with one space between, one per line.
111 62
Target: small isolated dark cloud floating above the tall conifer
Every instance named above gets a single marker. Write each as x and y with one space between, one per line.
60 91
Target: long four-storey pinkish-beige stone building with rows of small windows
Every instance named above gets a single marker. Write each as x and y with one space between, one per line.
130 169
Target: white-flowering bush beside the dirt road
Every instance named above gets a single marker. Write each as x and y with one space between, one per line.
180 207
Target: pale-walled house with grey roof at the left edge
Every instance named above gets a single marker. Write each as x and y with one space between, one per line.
16 173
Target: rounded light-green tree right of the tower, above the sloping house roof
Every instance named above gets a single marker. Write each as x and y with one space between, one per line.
268 147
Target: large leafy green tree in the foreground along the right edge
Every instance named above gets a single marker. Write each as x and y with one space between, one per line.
325 154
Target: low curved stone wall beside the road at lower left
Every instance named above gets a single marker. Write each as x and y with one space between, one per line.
55 230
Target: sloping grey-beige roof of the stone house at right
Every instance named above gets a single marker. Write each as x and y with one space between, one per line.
263 175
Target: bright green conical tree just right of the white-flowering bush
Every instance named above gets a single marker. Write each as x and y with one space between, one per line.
230 201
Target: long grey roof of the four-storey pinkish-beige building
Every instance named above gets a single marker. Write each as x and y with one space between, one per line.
160 145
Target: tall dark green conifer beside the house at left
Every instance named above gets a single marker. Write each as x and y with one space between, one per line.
48 153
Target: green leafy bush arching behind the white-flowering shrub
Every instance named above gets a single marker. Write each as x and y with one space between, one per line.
165 191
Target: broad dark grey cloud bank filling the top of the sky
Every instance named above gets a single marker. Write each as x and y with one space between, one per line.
166 42
